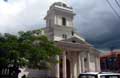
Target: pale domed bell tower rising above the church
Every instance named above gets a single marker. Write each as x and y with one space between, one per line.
59 21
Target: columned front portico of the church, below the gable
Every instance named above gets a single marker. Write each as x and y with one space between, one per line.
75 59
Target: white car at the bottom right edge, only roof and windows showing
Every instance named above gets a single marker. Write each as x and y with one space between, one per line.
99 75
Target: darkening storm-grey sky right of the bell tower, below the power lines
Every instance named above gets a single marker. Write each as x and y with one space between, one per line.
97 23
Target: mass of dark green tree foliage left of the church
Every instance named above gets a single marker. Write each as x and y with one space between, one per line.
27 49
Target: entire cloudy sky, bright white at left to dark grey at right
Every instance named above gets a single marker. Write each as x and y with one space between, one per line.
94 20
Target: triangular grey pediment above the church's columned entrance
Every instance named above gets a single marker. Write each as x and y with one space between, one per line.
79 45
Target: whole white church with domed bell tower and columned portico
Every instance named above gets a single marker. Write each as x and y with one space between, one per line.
78 56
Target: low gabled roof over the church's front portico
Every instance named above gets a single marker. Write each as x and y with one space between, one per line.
78 46
